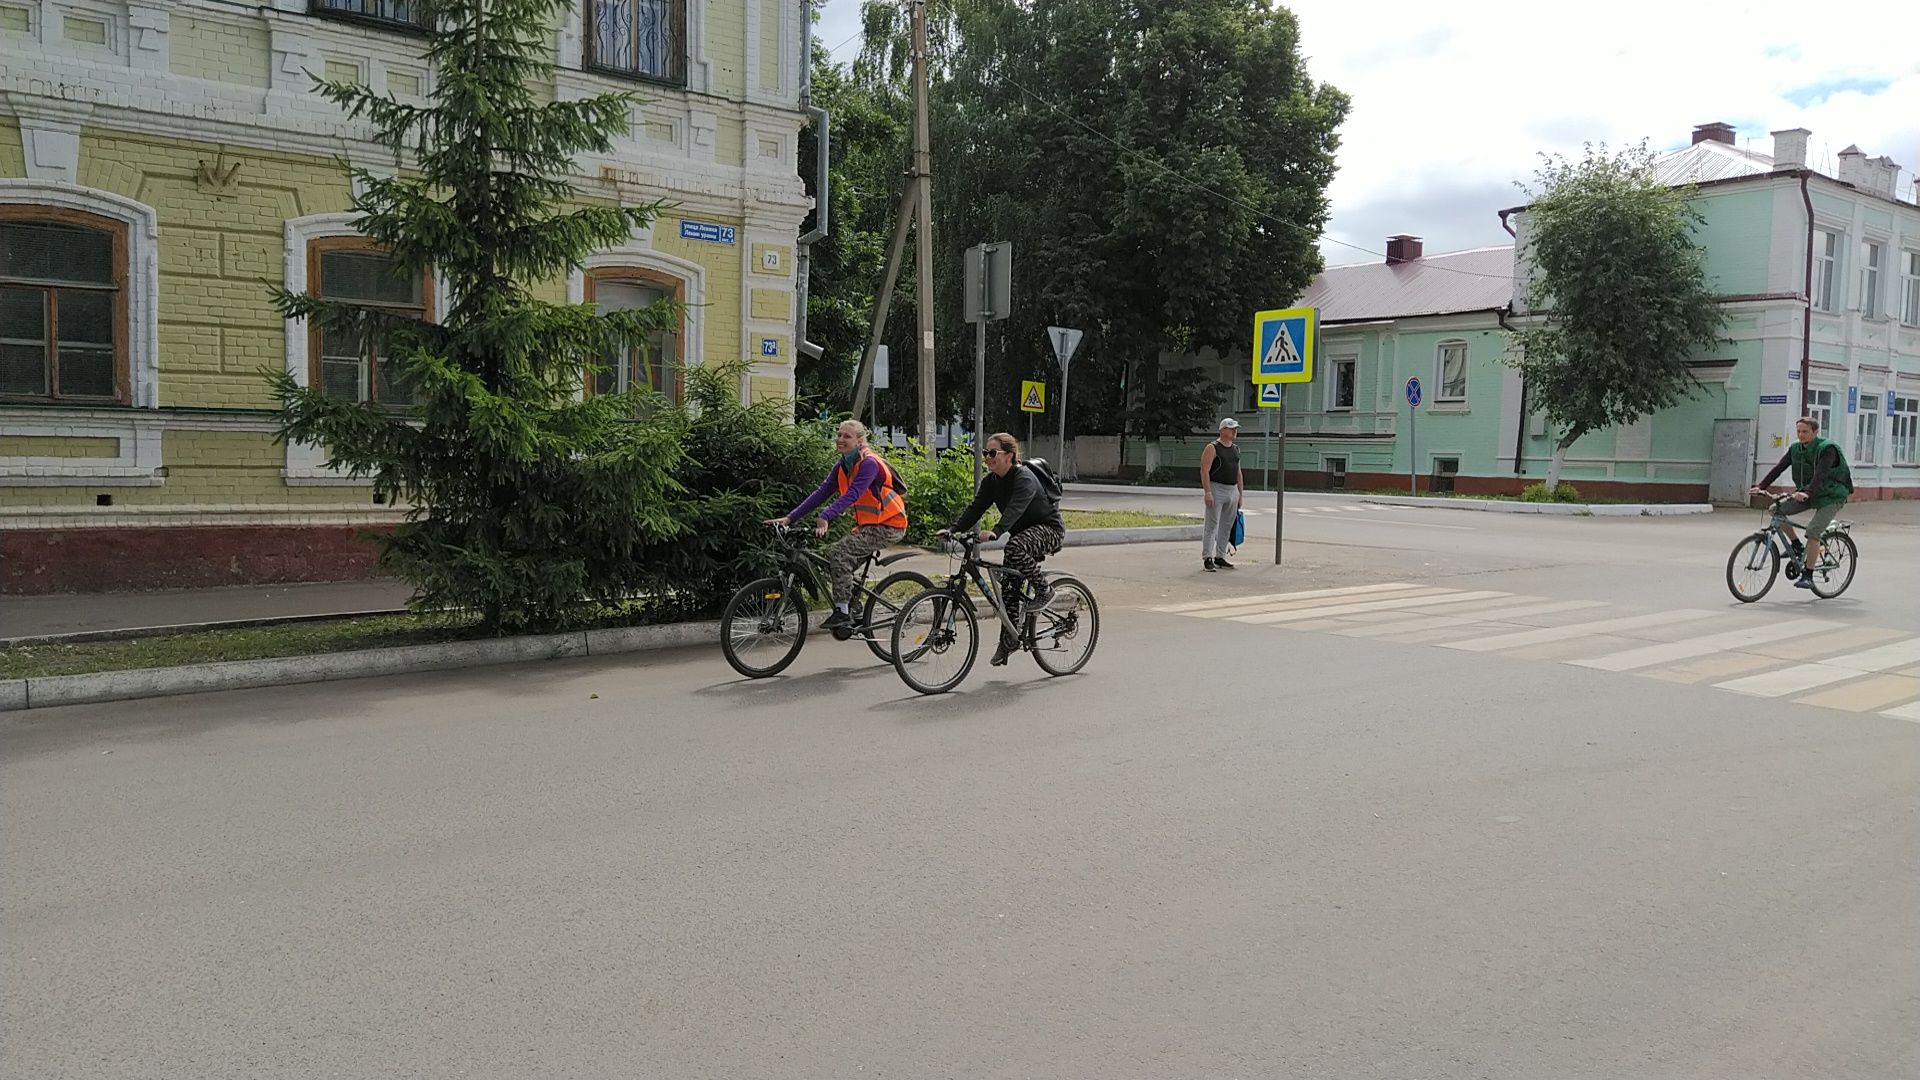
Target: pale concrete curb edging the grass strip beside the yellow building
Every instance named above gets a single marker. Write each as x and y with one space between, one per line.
99 687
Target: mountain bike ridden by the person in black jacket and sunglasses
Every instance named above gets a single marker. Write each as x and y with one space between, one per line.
936 639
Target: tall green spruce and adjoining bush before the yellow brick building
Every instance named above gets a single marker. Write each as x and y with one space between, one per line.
529 499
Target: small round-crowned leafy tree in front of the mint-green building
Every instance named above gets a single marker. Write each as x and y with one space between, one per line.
1620 289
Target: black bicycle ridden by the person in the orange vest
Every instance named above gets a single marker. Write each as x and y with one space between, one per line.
765 626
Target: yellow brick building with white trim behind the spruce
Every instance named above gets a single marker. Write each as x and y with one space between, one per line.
164 160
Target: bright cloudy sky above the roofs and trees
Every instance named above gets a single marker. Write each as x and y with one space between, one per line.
1454 103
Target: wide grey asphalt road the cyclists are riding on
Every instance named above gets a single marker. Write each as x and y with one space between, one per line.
1291 848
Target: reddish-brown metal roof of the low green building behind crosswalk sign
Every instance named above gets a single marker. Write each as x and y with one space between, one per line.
1433 285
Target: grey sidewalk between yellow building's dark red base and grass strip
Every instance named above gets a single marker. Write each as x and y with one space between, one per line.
72 614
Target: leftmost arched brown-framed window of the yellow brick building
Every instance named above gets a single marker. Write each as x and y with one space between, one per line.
62 307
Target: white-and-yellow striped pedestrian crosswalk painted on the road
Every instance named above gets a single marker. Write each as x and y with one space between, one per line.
1752 652
